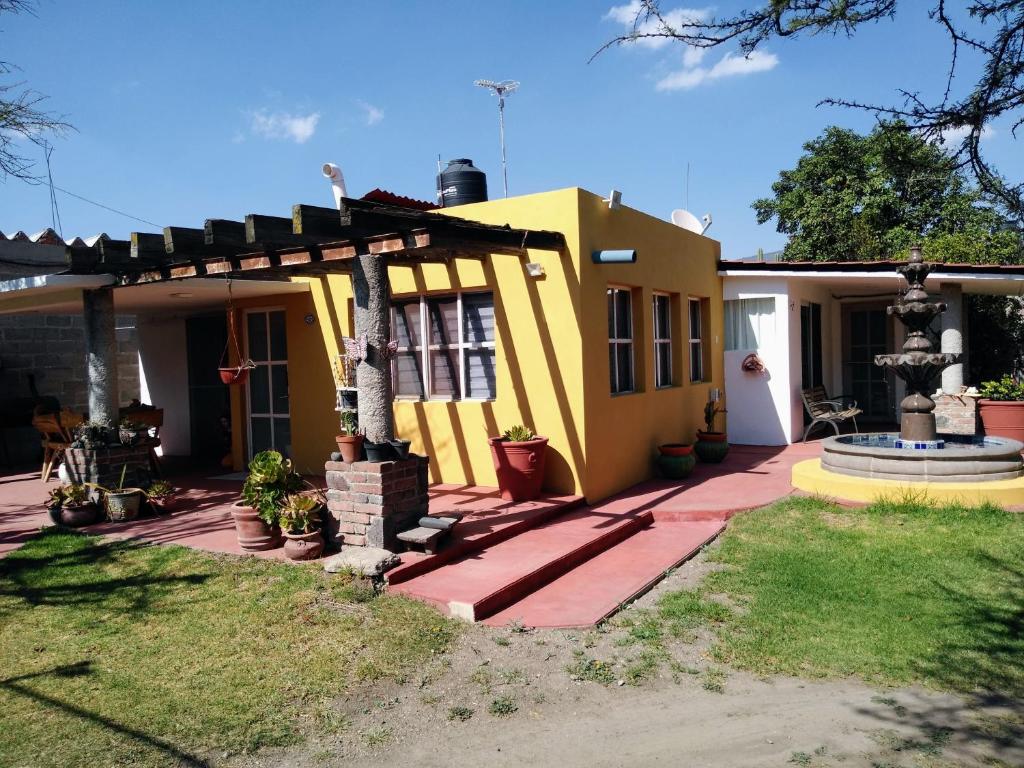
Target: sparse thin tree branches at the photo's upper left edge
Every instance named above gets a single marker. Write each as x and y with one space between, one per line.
21 116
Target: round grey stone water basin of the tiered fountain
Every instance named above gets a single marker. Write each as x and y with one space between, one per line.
962 459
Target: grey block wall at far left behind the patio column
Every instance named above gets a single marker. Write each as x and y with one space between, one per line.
53 349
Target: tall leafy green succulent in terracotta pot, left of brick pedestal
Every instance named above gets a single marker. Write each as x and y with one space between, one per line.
257 516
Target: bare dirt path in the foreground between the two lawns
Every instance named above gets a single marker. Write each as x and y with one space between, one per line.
529 699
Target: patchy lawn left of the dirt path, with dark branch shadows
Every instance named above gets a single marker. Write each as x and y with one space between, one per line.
115 654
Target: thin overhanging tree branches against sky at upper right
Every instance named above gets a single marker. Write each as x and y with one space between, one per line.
990 33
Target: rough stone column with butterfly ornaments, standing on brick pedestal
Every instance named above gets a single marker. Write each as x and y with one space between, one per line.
373 318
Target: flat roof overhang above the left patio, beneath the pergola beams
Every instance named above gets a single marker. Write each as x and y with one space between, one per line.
62 294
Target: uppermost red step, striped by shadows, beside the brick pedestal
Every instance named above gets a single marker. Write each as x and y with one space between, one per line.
481 529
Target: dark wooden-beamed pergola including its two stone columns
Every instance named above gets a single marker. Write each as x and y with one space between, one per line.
361 238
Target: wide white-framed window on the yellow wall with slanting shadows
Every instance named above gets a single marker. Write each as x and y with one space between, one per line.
446 348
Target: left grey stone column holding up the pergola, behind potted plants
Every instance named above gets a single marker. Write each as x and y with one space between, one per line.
101 356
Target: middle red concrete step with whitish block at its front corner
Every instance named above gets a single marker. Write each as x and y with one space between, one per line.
480 585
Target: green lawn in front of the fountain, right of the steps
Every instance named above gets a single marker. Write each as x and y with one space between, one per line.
897 593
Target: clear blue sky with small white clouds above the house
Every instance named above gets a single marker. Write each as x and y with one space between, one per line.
189 111
